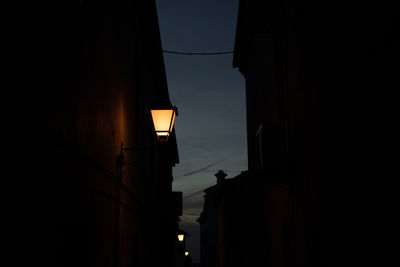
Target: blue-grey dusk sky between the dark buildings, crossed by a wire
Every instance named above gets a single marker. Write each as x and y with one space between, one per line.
210 96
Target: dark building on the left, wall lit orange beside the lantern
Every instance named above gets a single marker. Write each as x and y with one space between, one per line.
92 71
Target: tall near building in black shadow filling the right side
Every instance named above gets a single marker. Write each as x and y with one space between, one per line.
309 67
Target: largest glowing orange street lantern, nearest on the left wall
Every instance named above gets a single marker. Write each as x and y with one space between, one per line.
163 120
